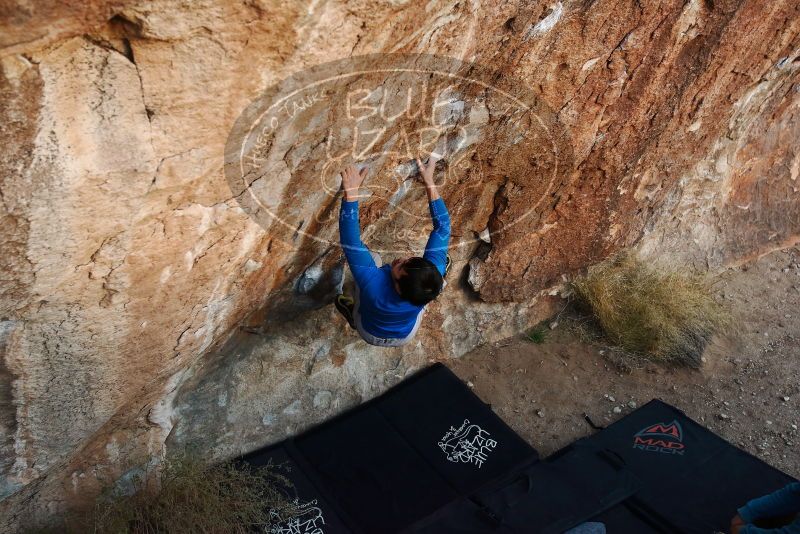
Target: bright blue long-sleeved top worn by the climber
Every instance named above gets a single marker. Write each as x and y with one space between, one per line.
383 312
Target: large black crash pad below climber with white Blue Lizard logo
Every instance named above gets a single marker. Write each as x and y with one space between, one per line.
403 458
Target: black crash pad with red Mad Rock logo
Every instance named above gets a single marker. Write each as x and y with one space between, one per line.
692 479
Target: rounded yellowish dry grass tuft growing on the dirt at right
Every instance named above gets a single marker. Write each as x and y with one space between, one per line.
664 316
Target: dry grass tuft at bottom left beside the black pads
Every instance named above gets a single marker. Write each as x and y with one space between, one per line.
193 497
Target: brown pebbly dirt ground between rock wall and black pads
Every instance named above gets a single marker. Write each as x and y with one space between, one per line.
748 390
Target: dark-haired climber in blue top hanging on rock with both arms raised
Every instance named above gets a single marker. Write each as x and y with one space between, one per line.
390 299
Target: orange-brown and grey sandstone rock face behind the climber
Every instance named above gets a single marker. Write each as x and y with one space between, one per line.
129 261
